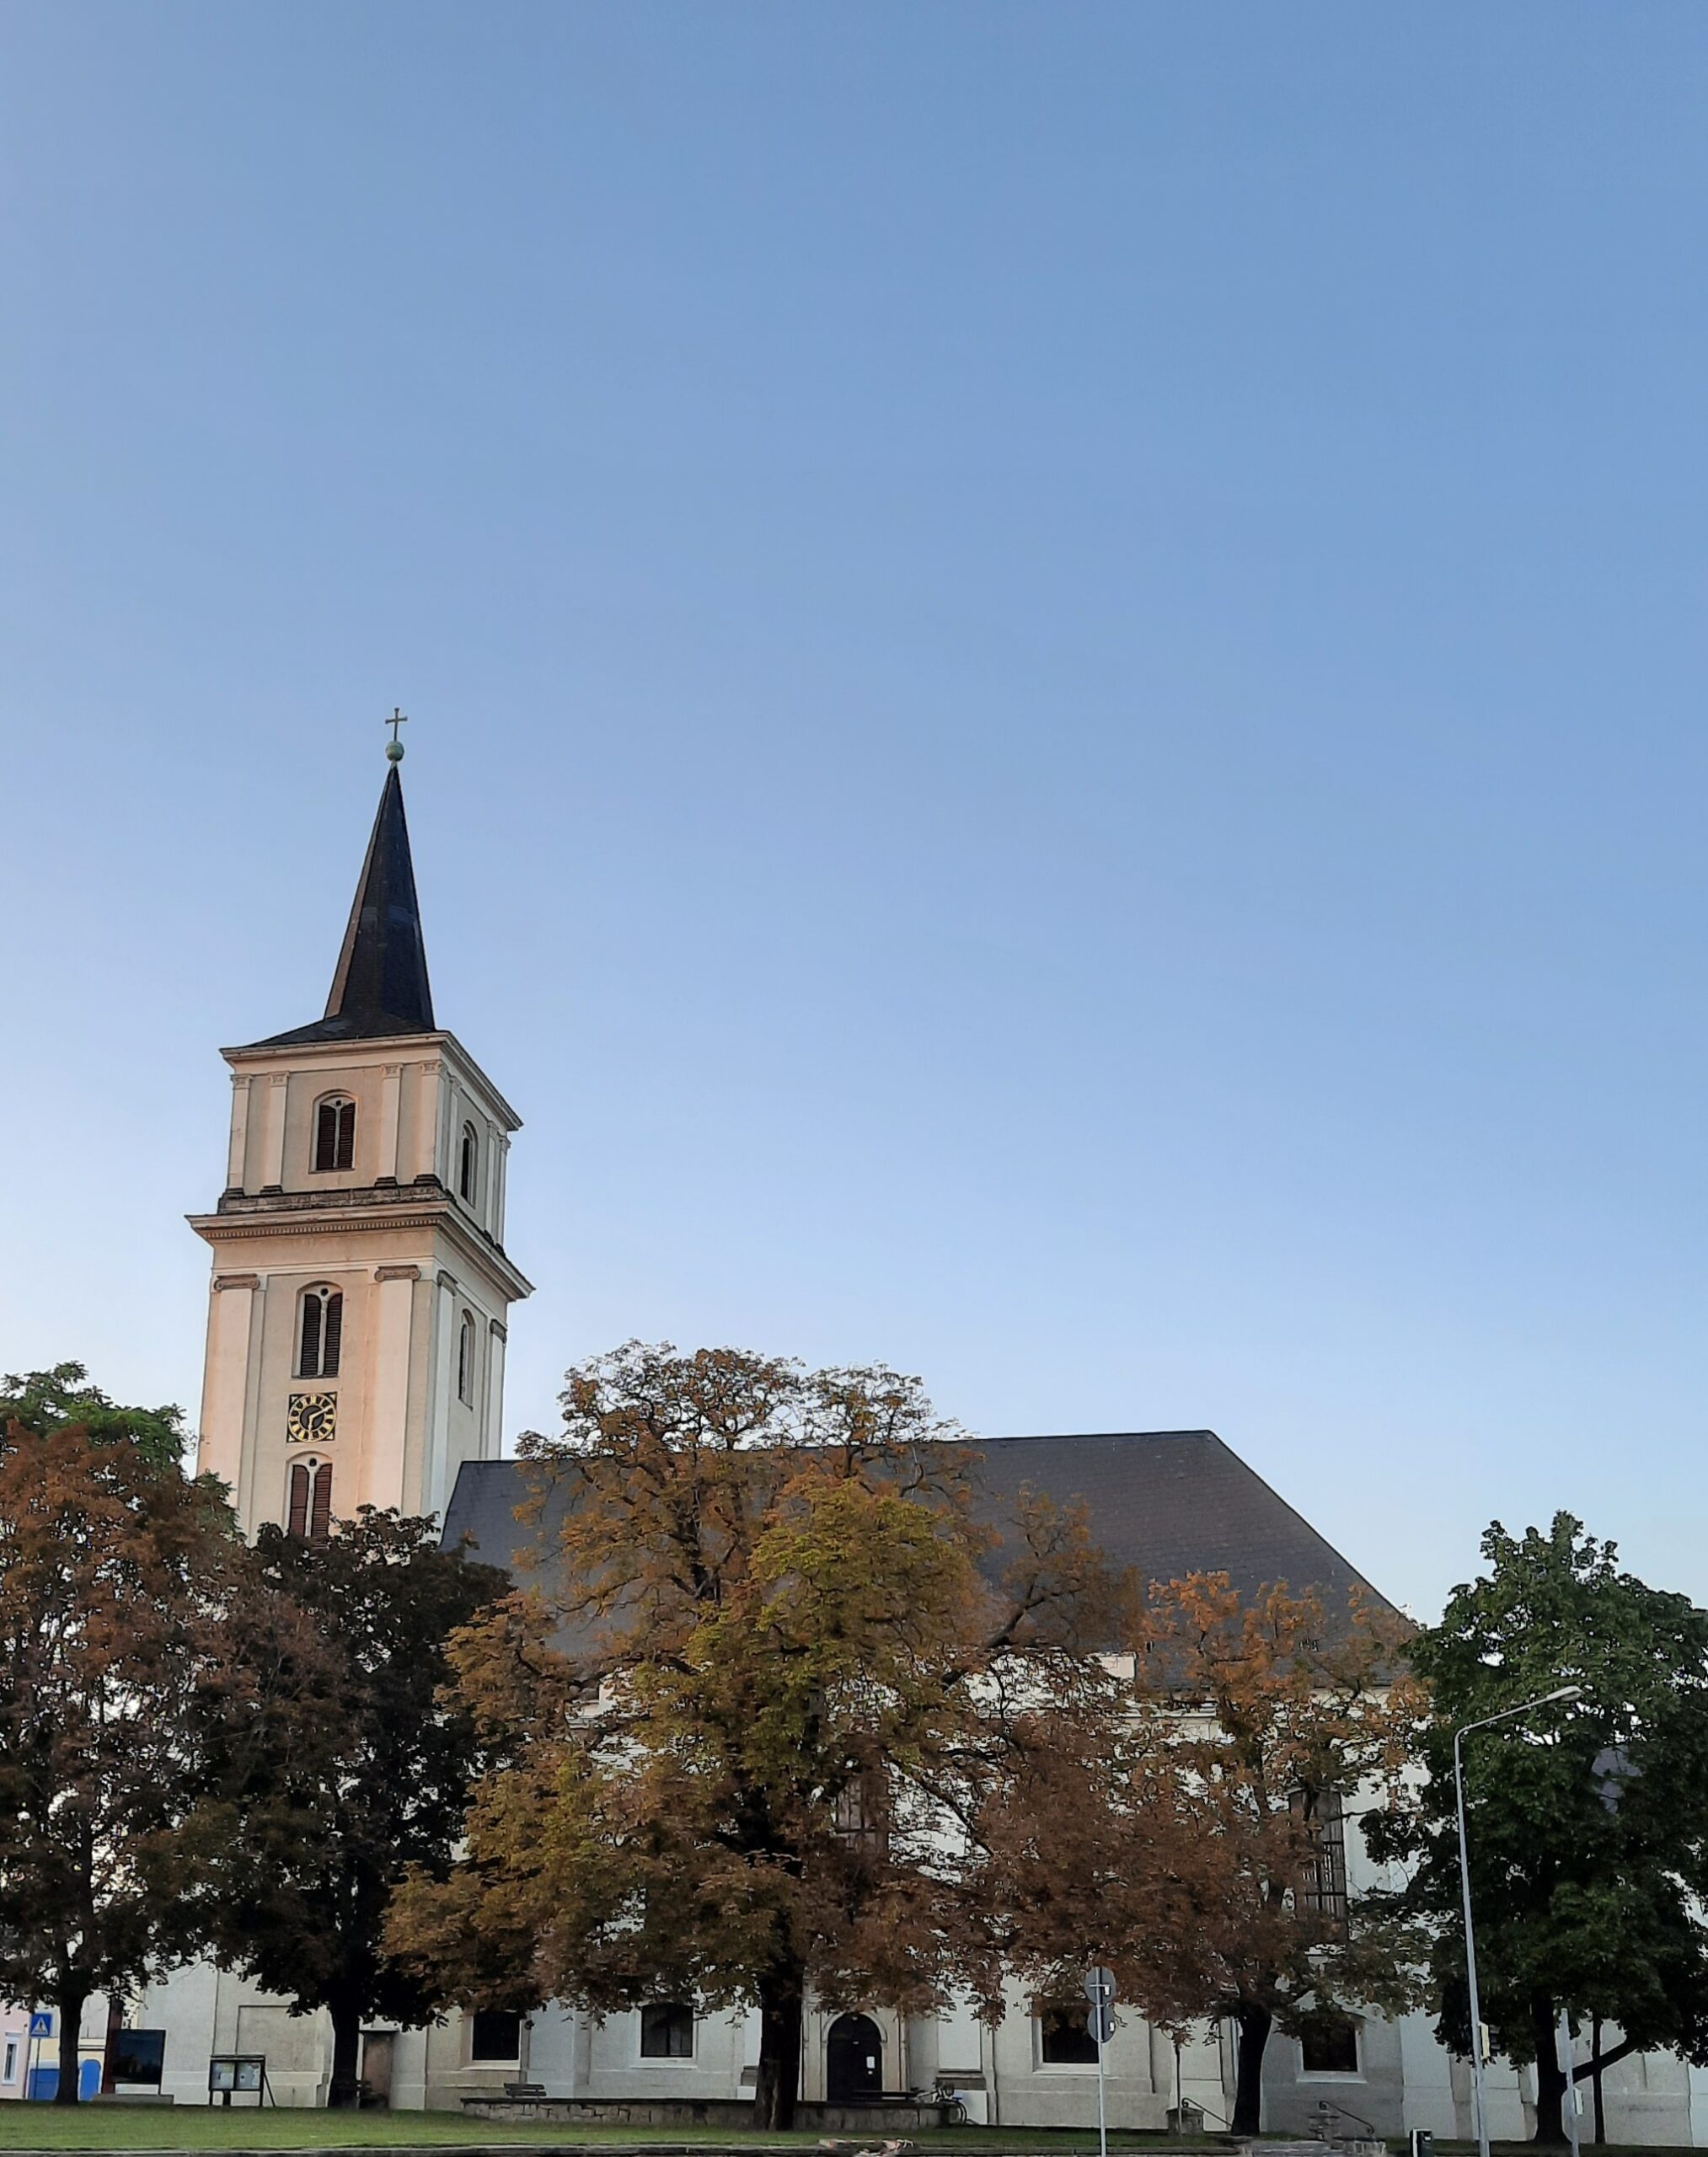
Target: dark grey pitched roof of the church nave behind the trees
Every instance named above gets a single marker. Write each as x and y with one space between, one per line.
1163 1502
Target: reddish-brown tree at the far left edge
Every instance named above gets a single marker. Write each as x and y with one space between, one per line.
113 1586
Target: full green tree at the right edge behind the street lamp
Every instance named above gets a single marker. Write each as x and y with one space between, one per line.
1588 1826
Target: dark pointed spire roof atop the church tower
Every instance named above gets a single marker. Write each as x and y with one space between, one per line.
381 985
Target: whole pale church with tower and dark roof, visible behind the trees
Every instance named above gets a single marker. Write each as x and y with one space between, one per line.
359 1315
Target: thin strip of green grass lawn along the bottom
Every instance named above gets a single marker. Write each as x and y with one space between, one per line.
197 2128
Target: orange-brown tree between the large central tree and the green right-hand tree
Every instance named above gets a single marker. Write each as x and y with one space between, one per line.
1267 1720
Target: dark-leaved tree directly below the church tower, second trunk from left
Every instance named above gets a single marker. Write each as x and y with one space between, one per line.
333 1766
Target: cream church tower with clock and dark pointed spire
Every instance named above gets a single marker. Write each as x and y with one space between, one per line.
361 1287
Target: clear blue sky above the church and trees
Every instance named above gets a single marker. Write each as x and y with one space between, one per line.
1058 693
